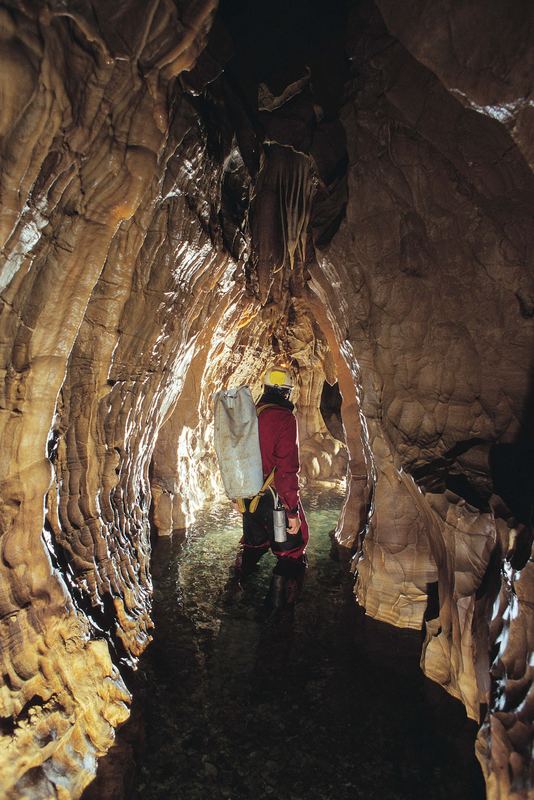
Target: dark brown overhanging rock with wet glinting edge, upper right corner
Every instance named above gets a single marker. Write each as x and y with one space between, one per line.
481 53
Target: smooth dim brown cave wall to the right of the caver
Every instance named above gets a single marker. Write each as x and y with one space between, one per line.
434 268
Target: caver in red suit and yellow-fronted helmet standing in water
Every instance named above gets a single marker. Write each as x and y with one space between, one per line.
280 460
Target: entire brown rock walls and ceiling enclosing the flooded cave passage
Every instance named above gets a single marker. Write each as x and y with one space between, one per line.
188 192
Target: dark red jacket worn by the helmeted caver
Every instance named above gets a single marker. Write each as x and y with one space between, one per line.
280 448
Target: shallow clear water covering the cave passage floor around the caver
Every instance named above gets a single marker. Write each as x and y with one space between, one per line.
329 705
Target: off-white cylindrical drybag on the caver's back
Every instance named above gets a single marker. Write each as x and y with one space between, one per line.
237 442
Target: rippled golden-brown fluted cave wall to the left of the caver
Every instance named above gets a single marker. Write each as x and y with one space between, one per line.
105 226
